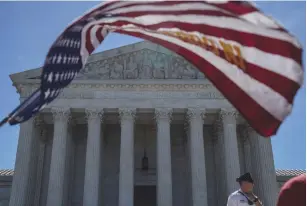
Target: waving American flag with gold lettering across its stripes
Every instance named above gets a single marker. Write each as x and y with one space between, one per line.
252 60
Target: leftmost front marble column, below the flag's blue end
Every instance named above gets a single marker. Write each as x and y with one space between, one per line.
21 192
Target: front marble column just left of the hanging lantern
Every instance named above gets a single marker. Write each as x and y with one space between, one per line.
126 165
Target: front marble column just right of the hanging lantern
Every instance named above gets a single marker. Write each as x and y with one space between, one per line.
164 163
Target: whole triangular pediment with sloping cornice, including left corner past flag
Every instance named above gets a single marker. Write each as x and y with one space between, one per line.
143 60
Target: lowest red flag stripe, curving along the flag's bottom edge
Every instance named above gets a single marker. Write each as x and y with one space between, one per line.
262 121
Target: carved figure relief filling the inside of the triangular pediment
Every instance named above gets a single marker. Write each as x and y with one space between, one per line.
143 64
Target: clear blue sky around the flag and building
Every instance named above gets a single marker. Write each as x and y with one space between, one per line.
29 29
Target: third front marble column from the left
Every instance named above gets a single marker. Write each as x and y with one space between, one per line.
93 157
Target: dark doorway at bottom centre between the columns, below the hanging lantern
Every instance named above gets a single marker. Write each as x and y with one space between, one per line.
145 195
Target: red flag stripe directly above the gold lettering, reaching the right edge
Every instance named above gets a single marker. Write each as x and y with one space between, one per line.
266 44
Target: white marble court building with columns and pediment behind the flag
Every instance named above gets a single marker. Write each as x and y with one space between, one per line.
139 126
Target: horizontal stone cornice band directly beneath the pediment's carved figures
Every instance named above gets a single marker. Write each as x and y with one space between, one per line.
156 91
